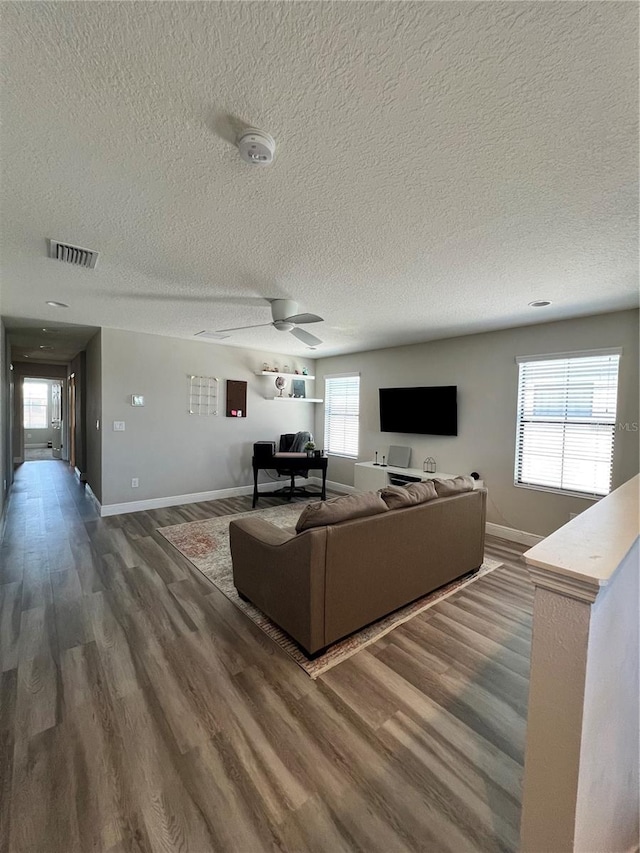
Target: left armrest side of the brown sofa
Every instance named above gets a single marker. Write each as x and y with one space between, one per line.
282 574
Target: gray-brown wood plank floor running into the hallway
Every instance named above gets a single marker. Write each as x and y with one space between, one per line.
141 711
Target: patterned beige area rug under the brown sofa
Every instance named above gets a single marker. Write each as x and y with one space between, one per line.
206 545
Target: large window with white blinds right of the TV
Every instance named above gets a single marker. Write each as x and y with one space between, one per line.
566 422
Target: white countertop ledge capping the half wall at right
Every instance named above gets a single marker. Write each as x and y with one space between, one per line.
586 552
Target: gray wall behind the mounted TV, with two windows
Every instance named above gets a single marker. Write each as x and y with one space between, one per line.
484 369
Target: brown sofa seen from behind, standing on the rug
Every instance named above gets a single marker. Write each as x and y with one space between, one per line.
323 583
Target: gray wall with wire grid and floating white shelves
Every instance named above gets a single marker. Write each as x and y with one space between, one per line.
169 450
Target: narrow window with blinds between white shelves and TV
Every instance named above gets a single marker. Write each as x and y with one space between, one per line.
342 415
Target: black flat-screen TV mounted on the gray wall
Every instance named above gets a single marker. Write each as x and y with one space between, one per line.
420 411
